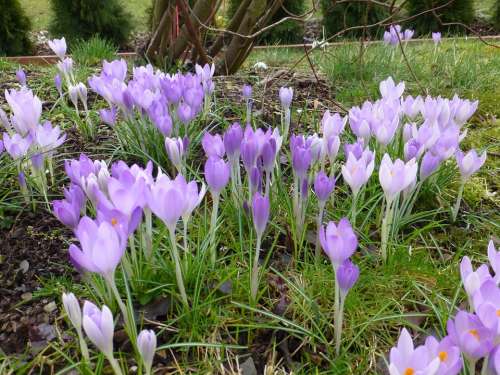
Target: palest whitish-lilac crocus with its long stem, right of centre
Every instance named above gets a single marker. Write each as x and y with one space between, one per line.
394 178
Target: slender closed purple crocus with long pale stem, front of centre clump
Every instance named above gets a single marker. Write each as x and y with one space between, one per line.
260 214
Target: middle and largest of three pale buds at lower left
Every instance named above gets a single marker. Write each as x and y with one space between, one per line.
99 327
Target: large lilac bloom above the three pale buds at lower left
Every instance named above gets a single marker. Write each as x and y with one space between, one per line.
102 247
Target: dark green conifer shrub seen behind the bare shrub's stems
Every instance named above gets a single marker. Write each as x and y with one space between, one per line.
290 31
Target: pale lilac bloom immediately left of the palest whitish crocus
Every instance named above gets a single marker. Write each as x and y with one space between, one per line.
357 171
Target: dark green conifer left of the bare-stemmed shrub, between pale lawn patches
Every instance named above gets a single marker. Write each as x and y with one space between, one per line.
82 19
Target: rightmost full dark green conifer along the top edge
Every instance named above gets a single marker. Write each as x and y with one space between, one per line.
461 11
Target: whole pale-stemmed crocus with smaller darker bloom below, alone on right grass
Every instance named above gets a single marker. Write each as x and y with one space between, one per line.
340 242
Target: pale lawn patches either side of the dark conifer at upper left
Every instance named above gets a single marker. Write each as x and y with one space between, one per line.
40 13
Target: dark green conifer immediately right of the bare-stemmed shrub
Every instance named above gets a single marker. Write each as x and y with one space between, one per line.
337 17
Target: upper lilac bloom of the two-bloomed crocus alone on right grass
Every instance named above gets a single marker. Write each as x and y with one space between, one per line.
338 241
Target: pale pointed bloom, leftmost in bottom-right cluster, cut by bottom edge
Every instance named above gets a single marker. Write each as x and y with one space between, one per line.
405 359
